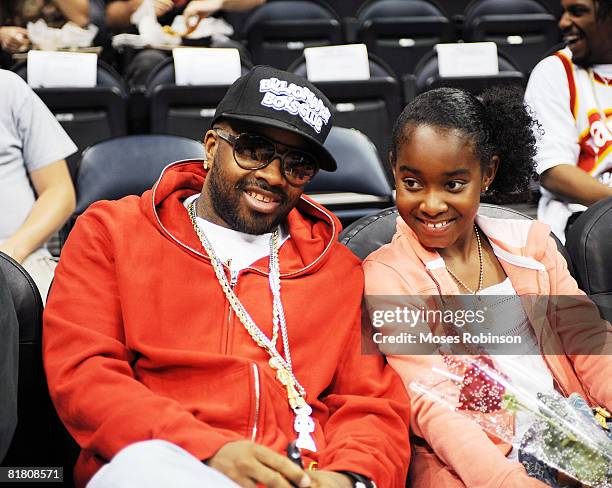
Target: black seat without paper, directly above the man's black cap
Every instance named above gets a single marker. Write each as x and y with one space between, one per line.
278 31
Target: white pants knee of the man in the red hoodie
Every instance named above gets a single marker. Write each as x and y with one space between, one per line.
157 464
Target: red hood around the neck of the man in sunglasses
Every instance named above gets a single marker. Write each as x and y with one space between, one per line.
314 230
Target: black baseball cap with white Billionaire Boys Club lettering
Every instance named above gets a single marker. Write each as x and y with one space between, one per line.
275 98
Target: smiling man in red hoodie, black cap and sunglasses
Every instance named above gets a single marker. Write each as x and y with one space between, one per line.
215 319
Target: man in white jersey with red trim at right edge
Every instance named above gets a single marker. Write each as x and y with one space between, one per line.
571 96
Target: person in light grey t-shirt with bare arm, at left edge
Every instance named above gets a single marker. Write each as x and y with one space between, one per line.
37 195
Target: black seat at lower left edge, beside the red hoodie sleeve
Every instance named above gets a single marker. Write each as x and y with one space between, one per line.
40 438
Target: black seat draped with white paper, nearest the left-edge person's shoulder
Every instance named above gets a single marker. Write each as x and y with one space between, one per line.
89 115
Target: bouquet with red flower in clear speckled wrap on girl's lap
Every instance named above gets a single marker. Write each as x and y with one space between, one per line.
563 434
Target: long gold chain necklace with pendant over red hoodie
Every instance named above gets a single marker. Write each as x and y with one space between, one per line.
296 394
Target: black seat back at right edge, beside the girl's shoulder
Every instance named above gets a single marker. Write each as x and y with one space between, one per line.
589 242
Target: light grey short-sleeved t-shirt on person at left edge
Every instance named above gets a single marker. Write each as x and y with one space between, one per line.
30 138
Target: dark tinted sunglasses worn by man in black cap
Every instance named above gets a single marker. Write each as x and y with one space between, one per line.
252 152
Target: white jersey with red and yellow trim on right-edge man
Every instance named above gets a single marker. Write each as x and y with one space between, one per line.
568 101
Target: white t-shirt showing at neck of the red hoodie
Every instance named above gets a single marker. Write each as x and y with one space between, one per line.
237 249
